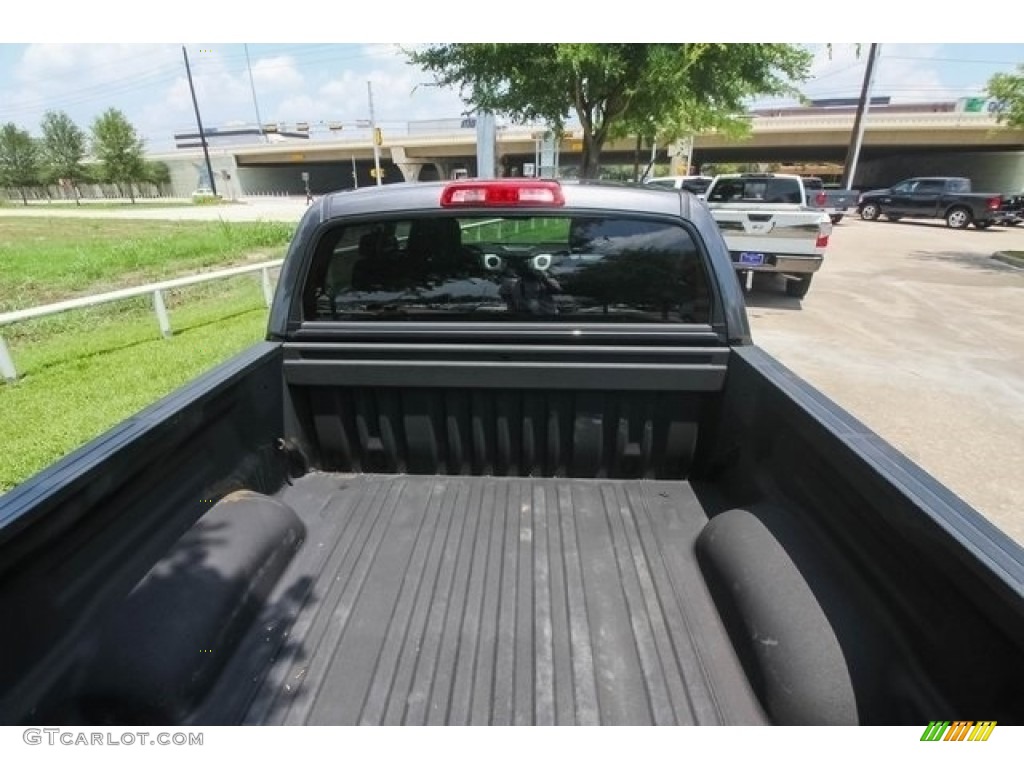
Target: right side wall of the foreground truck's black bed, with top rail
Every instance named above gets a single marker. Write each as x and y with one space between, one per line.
919 565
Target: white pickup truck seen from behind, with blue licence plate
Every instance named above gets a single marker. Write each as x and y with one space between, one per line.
770 228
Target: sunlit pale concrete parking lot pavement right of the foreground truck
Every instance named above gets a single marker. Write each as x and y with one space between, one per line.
920 334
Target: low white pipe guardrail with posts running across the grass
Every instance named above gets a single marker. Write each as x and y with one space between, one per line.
156 289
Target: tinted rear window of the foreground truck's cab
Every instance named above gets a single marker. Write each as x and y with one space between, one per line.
494 269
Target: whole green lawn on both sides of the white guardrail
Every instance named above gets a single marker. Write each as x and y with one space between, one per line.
83 372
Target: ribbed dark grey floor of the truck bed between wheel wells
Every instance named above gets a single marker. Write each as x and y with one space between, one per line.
480 601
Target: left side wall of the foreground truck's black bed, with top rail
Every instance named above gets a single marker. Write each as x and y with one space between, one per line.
79 536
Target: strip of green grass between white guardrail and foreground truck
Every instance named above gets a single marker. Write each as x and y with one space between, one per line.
80 382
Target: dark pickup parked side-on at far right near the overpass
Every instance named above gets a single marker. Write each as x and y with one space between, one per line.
937 198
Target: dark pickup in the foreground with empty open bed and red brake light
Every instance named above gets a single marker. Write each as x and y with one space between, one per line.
508 456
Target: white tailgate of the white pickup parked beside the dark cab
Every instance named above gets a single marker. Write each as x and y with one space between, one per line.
773 232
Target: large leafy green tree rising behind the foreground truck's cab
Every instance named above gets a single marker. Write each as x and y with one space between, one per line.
652 90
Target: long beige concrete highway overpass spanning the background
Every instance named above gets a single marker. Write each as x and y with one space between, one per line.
895 146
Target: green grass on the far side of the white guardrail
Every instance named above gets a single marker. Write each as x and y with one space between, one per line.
49 260
